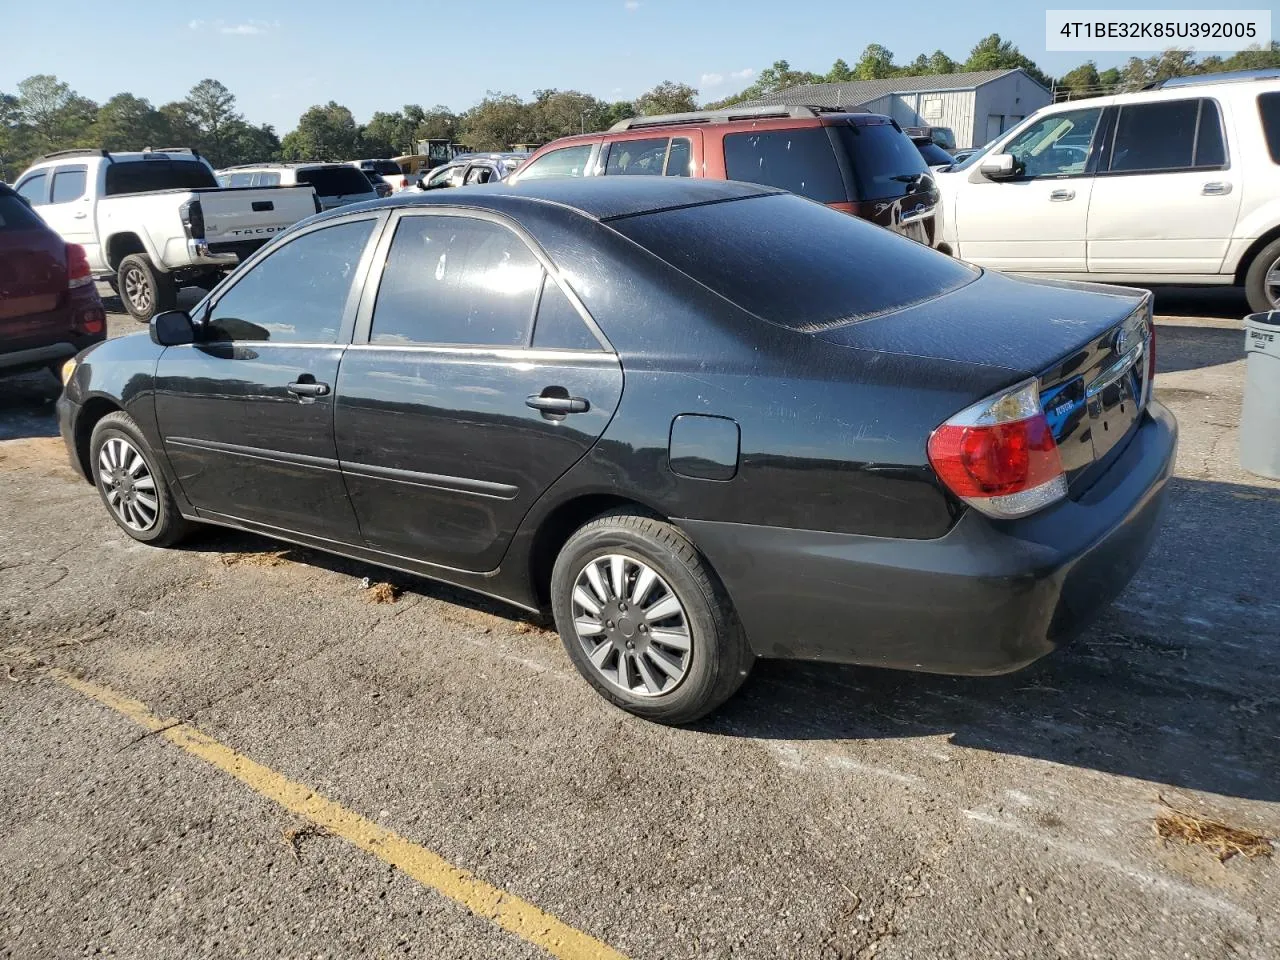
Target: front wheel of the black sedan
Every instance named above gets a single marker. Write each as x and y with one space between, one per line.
167 527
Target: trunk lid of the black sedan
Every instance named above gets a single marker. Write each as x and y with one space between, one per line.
1086 344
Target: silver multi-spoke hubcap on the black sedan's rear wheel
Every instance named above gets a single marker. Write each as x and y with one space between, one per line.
632 625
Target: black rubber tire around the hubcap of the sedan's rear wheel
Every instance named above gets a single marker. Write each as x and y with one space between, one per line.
719 660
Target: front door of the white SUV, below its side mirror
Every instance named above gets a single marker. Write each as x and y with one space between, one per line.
1035 222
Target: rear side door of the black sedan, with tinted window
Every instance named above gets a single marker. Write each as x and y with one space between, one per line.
454 414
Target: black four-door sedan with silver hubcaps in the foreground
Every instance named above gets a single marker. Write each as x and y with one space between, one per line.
700 422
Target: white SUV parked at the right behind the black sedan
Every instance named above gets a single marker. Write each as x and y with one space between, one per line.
1177 185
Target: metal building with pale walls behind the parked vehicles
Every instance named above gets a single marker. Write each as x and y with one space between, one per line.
976 107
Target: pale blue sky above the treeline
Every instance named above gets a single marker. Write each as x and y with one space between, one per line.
282 57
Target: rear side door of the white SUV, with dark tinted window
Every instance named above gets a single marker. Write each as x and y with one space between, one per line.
1167 158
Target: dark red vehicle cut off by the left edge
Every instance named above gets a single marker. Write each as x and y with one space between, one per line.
49 307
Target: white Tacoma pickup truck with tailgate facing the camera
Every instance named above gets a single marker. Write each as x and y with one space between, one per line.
157 221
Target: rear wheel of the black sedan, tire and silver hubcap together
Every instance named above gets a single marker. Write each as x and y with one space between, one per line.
647 621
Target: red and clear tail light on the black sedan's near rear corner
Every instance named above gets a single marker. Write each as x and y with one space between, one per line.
1000 455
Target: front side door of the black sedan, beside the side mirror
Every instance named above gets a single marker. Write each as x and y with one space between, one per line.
246 413
